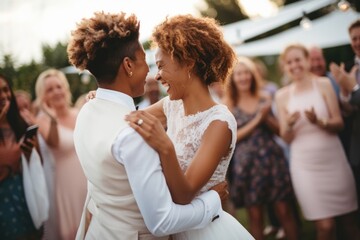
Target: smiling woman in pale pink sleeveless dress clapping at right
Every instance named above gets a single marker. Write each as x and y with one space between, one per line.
310 118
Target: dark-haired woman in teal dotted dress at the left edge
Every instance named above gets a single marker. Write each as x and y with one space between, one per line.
15 218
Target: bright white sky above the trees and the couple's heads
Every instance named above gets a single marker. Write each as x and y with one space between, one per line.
26 25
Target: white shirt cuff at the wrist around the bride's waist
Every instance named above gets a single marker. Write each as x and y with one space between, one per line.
212 205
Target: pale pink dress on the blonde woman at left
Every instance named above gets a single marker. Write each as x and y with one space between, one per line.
70 185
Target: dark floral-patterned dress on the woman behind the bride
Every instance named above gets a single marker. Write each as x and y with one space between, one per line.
259 173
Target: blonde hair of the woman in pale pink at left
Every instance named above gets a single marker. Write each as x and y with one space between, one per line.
40 84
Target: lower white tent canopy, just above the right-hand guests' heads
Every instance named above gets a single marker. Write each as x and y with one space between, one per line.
328 31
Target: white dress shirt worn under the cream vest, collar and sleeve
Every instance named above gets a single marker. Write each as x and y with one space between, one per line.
142 164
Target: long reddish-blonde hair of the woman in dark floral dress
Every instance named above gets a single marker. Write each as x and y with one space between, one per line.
231 92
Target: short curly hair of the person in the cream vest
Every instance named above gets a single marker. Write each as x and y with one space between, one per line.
99 44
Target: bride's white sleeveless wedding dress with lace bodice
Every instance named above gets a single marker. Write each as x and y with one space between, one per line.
186 133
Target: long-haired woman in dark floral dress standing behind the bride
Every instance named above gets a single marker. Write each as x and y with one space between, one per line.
260 174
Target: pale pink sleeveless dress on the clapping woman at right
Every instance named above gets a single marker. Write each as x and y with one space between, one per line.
321 176
